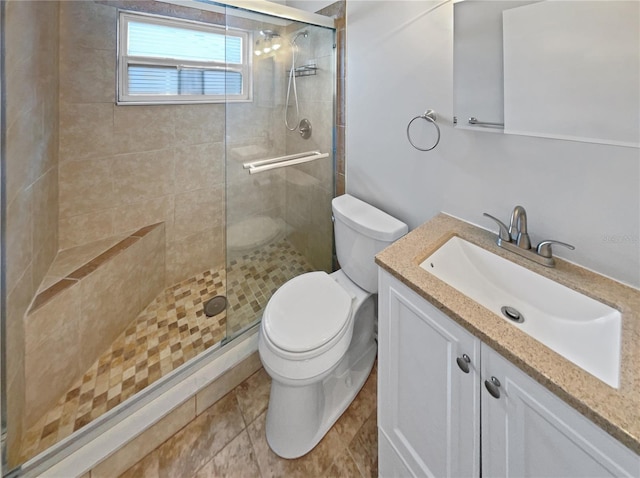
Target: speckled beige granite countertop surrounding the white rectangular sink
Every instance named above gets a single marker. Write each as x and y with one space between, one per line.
617 411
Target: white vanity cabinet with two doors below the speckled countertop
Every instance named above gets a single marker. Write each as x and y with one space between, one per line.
450 406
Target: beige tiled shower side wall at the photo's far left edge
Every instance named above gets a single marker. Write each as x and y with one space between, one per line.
31 59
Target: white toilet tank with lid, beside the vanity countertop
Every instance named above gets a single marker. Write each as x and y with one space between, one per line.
361 231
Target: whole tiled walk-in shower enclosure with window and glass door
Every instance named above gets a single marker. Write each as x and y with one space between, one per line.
159 221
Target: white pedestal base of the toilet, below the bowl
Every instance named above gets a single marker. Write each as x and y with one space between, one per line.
299 417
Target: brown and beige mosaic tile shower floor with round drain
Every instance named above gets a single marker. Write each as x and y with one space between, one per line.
170 331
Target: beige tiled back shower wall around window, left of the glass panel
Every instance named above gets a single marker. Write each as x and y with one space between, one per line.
125 167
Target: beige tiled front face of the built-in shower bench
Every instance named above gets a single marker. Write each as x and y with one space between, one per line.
67 334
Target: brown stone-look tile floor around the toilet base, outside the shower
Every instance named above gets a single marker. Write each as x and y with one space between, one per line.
228 440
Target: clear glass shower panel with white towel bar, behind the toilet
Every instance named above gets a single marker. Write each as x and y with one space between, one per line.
279 164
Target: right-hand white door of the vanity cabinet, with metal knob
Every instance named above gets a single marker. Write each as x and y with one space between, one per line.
529 432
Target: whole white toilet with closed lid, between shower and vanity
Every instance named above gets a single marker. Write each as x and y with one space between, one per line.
317 336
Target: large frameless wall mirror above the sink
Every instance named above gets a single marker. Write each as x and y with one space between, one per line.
557 69
